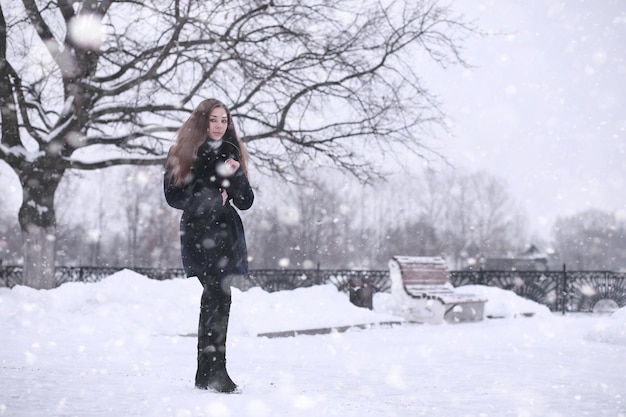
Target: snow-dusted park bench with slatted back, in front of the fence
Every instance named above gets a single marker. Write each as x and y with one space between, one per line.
422 292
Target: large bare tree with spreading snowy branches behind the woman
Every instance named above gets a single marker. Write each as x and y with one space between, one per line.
92 84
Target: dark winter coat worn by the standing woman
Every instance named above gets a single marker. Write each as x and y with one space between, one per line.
212 238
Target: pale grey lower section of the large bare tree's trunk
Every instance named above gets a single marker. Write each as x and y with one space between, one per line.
39 255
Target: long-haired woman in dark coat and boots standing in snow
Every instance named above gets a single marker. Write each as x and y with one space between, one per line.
205 172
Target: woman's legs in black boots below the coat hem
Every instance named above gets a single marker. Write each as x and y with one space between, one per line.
212 332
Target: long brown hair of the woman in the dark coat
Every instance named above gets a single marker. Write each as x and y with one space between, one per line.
192 134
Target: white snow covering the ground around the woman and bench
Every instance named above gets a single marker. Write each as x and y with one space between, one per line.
122 347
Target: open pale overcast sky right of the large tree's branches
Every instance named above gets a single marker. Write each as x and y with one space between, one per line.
544 106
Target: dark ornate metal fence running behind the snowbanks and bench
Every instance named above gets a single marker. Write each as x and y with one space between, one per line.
565 291
